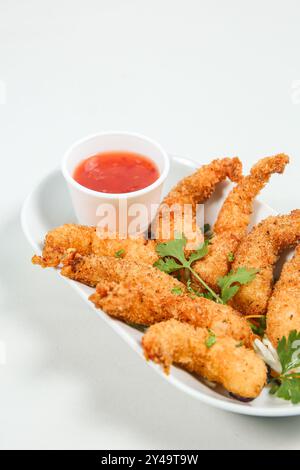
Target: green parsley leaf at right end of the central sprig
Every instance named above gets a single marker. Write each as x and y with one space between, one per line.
231 283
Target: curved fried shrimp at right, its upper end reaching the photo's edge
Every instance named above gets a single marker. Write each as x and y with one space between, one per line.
260 250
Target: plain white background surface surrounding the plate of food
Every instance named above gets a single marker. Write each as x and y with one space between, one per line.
205 79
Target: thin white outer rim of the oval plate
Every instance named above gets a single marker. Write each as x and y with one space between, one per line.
234 407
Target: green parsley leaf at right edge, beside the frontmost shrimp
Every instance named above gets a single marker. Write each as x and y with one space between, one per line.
287 384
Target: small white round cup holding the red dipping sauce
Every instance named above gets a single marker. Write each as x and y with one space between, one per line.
91 206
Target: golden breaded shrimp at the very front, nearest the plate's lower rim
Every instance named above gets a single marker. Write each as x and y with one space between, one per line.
226 362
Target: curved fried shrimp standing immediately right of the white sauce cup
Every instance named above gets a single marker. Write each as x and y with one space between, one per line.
192 190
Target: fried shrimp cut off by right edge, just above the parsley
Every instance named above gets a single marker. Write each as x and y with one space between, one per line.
283 314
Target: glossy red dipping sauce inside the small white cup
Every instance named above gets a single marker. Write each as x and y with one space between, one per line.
116 172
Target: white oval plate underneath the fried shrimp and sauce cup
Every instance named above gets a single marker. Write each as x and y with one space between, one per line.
49 206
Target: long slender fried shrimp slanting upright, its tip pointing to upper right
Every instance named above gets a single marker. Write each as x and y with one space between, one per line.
233 219
